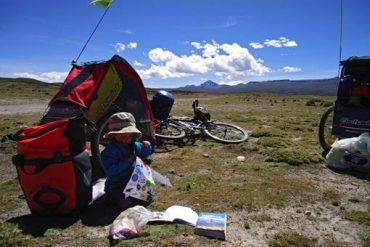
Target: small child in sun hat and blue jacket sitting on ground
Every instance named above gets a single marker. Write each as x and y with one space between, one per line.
119 158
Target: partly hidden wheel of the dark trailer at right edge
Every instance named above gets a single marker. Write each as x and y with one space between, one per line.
325 137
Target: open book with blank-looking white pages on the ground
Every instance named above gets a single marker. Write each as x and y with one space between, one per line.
175 214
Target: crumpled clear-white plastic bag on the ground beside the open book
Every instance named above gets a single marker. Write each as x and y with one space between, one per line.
130 223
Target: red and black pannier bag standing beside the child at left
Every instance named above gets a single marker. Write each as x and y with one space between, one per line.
53 167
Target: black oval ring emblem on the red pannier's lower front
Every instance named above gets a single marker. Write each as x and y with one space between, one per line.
50 206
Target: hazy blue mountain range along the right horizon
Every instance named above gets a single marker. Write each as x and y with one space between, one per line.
308 87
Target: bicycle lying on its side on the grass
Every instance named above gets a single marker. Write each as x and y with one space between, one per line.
178 128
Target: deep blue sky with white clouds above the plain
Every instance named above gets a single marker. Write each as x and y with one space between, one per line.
173 43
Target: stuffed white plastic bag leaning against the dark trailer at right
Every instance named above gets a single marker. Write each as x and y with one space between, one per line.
350 153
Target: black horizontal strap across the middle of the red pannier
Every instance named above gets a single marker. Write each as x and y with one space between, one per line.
39 163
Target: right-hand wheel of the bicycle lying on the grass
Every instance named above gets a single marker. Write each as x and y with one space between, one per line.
225 133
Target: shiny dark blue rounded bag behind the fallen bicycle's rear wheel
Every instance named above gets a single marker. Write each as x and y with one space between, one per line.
161 104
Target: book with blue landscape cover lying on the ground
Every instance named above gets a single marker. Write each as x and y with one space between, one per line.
211 225
